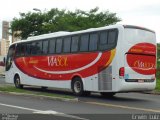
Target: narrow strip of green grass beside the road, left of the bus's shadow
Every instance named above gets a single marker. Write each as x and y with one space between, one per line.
8 89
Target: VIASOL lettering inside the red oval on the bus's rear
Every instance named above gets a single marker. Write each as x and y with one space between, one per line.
144 65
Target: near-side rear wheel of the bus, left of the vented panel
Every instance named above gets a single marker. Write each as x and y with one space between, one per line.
77 86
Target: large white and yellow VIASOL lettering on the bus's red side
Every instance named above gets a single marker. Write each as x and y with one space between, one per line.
57 61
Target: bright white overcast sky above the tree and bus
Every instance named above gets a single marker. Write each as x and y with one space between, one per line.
144 13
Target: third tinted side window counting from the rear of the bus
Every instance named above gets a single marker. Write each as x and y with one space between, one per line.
93 42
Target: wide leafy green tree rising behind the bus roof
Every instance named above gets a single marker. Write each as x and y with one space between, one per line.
31 24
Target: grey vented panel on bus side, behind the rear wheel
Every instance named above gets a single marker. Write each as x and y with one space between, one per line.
105 79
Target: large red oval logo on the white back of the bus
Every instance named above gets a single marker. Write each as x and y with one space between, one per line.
141 58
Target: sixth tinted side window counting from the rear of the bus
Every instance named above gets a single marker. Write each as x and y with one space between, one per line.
67 44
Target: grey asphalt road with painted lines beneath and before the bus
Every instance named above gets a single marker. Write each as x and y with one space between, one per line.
122 103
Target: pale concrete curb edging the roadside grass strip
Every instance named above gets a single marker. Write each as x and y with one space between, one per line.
41 96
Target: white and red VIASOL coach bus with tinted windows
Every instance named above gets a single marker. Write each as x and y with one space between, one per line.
111 59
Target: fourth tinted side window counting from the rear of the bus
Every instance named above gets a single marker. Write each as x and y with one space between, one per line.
84 42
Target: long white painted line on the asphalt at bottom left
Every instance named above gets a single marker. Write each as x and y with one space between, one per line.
43 112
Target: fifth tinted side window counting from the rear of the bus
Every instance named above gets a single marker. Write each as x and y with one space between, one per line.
74 45
